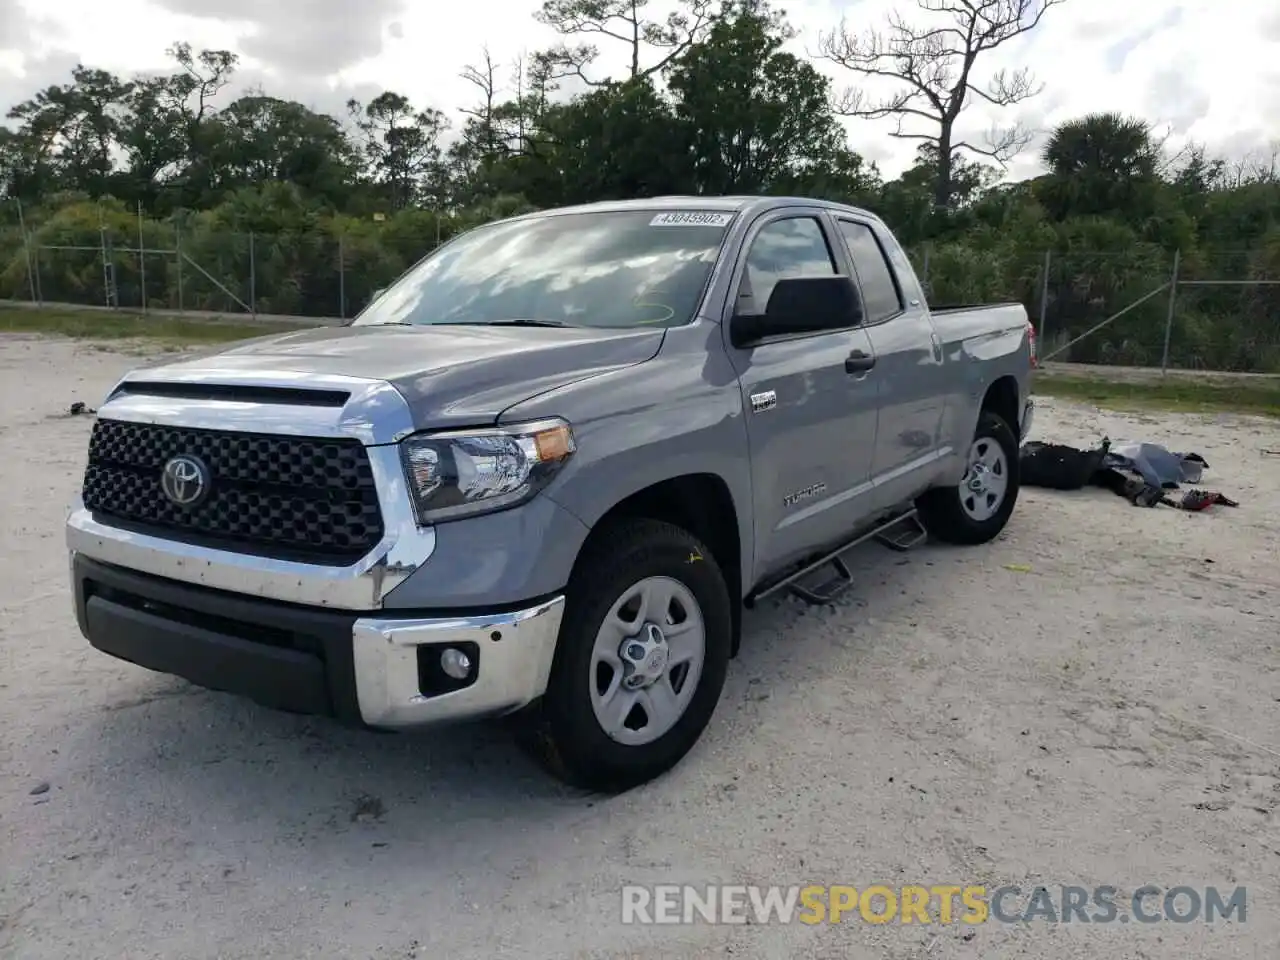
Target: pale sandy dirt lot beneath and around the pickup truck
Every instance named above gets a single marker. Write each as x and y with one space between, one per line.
1094 700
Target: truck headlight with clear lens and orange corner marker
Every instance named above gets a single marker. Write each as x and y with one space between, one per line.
479 472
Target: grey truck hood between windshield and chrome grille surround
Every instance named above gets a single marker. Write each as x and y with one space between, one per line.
449 376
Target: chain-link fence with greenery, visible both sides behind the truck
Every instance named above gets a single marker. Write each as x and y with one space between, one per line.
1212 310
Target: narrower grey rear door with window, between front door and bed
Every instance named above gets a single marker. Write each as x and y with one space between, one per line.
908 365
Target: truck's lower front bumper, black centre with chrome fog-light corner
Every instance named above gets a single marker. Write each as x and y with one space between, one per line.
373 670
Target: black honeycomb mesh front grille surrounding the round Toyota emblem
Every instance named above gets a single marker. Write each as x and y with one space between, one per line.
285 497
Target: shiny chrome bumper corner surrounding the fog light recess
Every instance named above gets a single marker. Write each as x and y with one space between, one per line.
515 662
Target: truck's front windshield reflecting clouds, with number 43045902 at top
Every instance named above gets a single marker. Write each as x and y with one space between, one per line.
609 269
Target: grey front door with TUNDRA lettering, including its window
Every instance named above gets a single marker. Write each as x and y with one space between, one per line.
811 410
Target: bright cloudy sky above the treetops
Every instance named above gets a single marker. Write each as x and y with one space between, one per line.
1206 71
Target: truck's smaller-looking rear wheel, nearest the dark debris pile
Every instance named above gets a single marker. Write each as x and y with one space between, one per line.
976 510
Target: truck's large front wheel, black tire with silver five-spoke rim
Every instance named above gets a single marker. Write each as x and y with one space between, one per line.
641 662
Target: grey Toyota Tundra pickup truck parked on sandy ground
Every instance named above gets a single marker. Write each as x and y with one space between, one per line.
543 474
